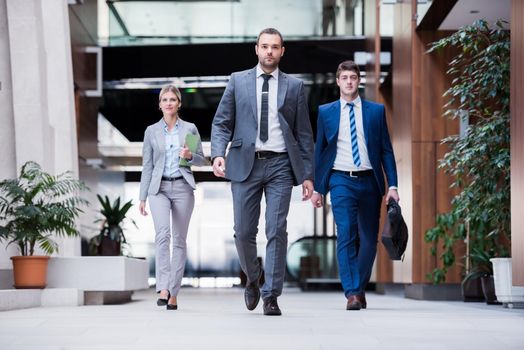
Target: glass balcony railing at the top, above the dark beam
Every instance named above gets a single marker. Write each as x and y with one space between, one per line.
180 22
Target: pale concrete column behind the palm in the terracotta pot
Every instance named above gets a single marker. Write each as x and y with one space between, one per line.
36 100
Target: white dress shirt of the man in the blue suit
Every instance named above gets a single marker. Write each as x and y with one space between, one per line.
344 158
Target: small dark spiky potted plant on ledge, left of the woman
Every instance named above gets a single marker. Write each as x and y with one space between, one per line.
111 237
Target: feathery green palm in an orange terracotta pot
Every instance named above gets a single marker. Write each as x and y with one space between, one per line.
34 208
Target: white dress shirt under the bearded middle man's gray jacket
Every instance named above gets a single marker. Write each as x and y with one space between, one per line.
275 141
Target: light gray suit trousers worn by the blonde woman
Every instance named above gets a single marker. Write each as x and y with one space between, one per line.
171 209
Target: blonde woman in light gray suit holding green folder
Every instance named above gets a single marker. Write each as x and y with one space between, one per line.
168 182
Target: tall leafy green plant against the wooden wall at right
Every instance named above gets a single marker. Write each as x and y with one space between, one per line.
478 160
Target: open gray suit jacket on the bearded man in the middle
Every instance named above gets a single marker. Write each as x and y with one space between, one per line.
236 121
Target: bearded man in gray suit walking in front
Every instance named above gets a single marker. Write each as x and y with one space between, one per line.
264 114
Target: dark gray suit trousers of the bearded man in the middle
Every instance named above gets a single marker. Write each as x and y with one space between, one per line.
274 178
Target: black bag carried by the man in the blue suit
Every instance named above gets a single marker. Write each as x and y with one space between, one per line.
395 232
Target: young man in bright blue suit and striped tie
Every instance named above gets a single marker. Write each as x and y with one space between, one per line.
352 153
